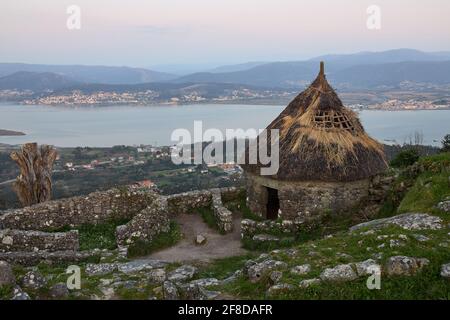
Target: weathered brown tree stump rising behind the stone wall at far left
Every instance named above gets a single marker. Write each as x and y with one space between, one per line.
34 183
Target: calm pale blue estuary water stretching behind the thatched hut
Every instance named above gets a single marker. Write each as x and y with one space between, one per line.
130 125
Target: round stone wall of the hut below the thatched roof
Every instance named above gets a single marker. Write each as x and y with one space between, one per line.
303 201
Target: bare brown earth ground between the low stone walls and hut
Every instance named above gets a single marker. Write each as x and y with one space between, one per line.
217 245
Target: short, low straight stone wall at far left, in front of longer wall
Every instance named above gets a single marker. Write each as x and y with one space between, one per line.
20 240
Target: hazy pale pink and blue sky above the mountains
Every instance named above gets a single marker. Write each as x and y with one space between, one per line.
152 32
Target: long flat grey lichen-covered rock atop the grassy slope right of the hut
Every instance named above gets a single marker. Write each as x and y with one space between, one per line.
407 221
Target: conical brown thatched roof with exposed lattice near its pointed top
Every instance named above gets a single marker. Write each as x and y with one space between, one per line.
320 139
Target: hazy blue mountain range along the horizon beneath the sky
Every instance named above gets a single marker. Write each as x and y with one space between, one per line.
365 70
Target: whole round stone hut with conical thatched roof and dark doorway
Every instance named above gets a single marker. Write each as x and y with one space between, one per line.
326 159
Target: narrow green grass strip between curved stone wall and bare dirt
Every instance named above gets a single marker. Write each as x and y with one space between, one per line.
163 240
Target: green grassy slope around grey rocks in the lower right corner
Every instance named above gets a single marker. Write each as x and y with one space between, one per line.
427 284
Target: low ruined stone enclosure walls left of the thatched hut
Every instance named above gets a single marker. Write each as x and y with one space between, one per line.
31 233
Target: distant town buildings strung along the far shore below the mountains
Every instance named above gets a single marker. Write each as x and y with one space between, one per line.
408 97
